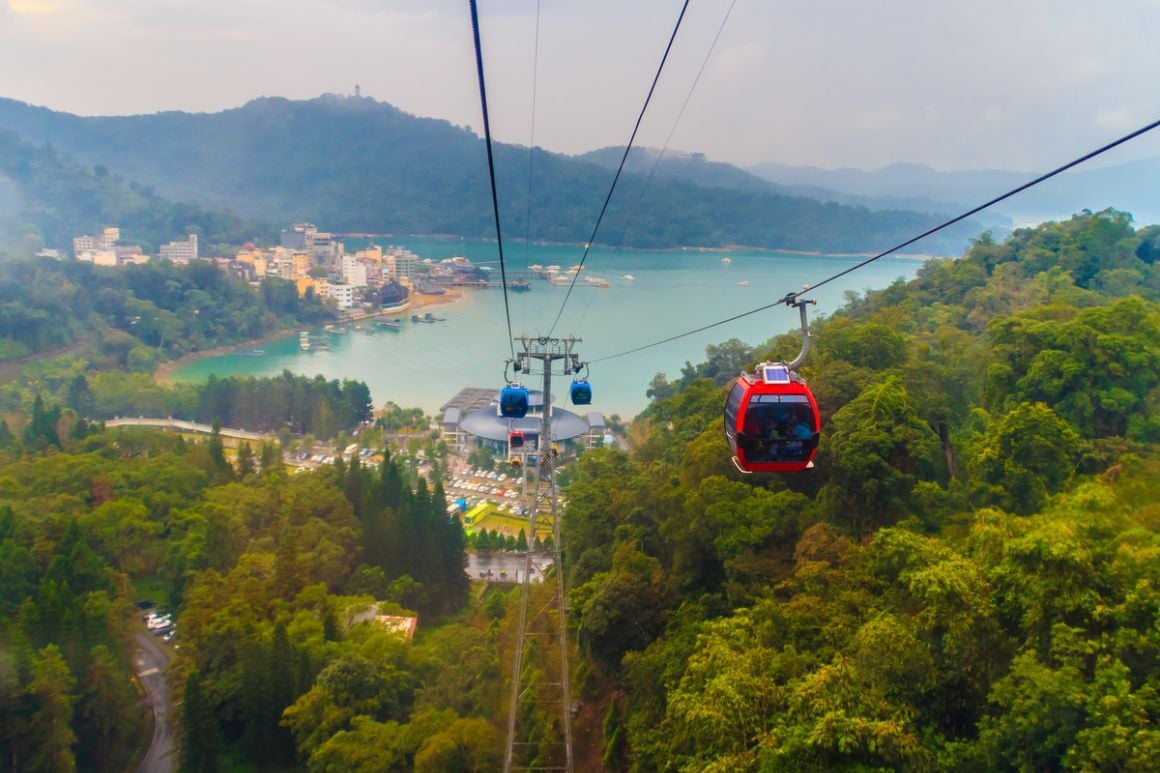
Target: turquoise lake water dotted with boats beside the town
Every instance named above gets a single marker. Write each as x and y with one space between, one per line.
673 292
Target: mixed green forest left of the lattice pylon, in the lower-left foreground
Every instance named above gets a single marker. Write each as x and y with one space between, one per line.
274 579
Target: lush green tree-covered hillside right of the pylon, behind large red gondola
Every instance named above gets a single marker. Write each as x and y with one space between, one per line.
968 581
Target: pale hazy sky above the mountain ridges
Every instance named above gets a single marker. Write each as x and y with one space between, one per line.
955 84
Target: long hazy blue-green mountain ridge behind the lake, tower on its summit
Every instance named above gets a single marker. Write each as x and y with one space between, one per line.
353 164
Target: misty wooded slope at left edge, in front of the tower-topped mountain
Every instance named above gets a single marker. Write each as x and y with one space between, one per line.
47 199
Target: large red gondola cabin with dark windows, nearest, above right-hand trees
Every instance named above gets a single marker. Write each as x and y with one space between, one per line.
772 422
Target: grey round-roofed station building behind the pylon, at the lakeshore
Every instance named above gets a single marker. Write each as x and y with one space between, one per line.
473 420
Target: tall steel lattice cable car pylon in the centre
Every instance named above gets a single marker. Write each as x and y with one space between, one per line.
540 355
